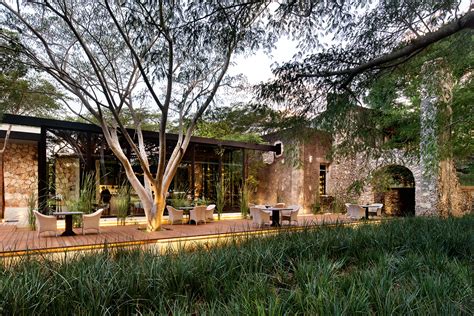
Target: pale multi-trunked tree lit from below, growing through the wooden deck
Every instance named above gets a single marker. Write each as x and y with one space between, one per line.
119 55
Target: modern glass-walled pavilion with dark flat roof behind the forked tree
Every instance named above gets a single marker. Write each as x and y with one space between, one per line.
204 161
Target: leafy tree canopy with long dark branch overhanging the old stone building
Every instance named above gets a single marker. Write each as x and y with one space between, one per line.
372 44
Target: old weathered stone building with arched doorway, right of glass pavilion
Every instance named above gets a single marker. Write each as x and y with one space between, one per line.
305 175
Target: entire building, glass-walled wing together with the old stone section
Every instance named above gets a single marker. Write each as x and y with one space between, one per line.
36 165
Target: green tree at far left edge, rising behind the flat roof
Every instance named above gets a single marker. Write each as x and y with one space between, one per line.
22 91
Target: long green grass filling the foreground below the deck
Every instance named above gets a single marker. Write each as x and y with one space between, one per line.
407 266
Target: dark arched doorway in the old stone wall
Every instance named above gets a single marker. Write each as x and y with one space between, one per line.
394 186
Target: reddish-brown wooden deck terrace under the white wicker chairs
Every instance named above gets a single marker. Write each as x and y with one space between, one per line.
18 241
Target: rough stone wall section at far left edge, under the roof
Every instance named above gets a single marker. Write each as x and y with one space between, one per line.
20 173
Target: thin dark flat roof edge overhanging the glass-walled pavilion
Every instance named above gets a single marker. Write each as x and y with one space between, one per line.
84 127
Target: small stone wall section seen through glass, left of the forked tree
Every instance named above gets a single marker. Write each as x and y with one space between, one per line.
67 177
